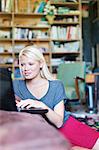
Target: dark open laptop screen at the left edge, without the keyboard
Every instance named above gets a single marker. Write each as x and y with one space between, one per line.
7 98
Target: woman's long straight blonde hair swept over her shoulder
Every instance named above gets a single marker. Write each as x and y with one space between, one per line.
34 52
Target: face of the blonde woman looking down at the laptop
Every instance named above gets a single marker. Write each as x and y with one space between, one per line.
30 67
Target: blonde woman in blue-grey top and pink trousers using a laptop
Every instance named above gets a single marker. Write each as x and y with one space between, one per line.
39 89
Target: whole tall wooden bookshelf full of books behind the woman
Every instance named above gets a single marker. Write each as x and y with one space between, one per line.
23 22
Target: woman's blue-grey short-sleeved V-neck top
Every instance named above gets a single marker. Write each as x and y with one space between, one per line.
55 94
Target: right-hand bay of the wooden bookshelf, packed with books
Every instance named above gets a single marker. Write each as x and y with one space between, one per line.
67 42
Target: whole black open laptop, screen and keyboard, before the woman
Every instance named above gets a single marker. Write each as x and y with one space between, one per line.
7 97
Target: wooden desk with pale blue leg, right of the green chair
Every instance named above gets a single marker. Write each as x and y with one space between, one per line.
91 79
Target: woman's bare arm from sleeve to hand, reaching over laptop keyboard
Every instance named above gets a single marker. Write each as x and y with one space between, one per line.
55 116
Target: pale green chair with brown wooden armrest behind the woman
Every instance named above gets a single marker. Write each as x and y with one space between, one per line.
73 76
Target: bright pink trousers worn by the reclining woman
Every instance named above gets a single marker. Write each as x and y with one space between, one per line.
79 134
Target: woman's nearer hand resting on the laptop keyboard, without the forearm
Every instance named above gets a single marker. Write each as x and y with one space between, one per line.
29 103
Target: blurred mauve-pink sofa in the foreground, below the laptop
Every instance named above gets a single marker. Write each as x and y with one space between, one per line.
24 131
